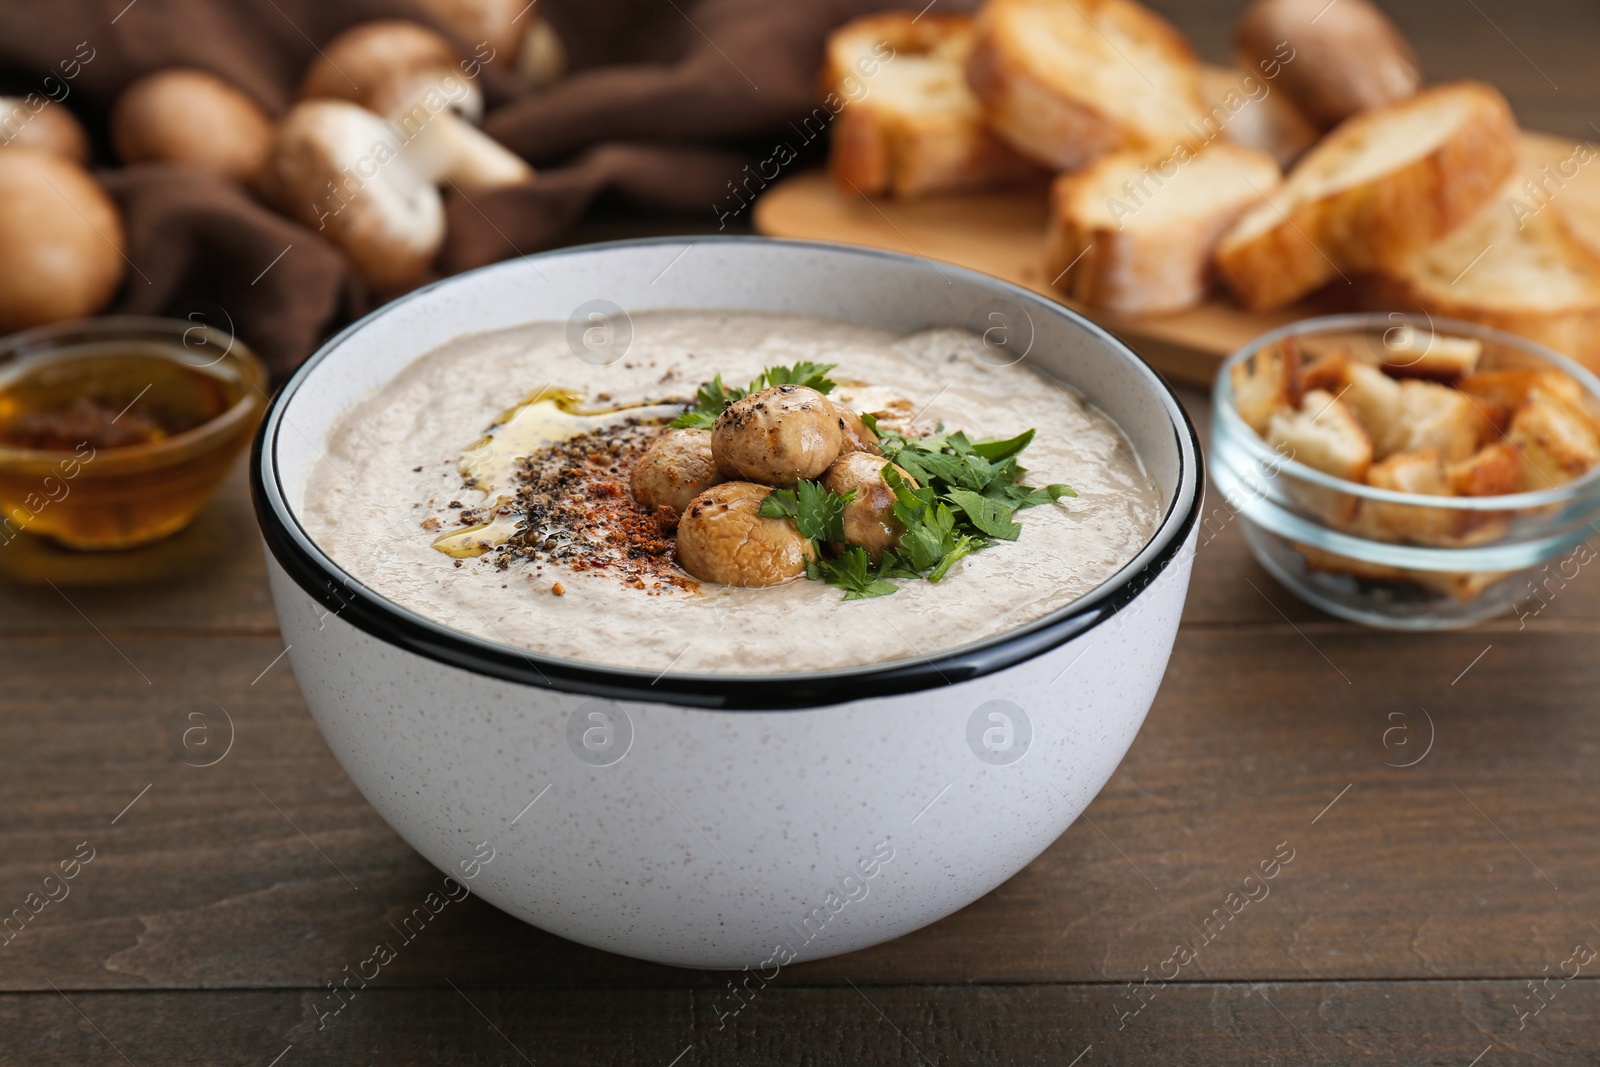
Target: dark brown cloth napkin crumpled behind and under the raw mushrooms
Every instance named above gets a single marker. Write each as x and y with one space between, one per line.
665 103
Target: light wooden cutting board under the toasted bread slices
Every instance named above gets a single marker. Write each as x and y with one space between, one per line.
1004 234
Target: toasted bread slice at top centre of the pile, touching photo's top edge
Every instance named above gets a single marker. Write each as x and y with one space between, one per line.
1068 81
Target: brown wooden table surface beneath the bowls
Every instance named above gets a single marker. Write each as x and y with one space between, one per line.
1438 794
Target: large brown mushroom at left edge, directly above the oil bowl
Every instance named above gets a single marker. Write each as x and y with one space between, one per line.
60 241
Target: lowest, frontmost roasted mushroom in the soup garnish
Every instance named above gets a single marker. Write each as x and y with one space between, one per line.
722 540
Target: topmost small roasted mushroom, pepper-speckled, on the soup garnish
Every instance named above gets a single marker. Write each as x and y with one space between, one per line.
777 436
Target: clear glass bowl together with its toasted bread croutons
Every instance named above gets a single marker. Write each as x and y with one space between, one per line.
1407 473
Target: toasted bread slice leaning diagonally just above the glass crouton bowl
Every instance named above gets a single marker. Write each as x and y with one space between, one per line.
1374 191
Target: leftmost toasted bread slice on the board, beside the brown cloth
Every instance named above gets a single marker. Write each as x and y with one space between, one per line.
908 124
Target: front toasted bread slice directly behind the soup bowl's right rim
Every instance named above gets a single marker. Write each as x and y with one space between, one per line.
1135 234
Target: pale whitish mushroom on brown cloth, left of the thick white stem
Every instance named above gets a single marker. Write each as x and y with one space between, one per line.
337 169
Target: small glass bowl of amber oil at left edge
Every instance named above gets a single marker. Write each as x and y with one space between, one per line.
116 431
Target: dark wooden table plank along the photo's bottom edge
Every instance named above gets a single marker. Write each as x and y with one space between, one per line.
1337 1025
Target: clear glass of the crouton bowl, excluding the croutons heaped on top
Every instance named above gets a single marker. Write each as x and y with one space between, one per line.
1390 559
